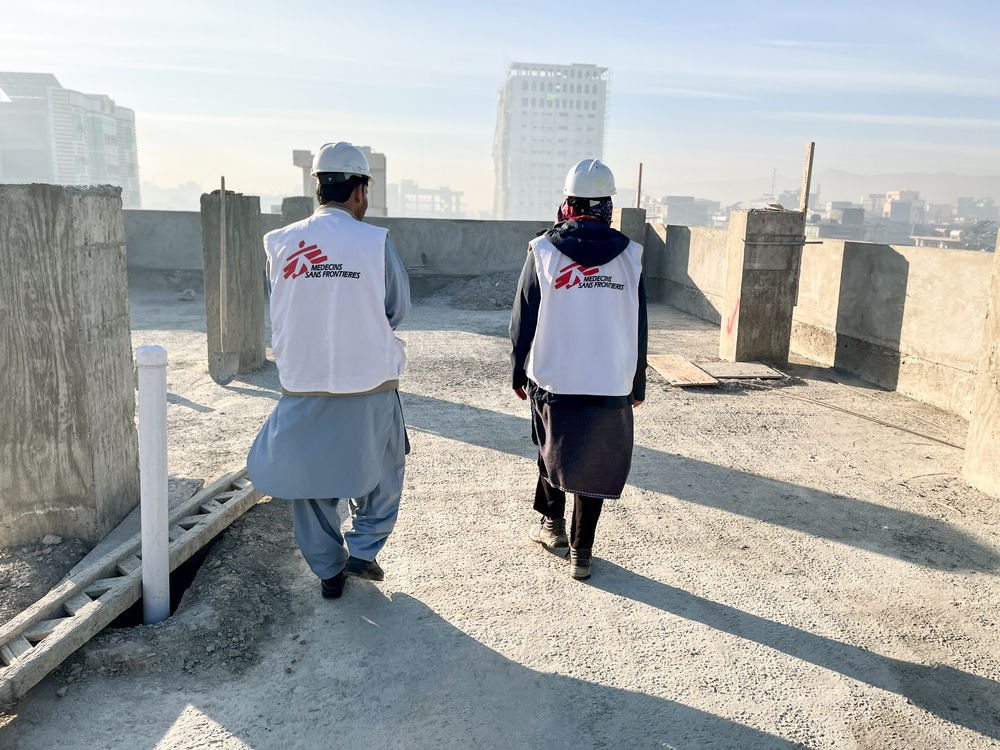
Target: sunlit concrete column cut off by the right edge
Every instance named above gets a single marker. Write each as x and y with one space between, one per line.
982 448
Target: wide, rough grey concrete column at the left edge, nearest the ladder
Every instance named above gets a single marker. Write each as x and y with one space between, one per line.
68 451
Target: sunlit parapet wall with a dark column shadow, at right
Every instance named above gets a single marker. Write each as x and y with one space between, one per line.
905 318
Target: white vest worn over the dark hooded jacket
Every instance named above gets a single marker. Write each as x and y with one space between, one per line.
587 338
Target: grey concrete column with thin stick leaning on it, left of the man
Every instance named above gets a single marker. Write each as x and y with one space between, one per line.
245 265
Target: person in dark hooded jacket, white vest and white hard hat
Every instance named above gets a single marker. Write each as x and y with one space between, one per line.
578 331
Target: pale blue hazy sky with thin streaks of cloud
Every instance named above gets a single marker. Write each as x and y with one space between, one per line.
699 90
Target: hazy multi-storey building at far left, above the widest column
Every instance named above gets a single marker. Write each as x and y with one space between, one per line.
52 134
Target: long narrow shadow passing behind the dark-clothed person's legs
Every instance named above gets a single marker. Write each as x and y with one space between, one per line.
847 520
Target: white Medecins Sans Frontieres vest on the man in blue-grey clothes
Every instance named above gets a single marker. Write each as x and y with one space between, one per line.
330 333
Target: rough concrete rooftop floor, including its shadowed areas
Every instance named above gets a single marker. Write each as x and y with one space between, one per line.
778 574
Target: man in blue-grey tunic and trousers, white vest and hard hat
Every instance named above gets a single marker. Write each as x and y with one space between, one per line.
338 289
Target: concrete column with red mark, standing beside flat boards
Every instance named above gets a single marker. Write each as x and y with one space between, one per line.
763 256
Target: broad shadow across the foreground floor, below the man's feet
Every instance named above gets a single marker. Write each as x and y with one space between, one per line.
391 673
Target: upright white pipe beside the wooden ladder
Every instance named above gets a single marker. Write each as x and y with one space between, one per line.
152 364
